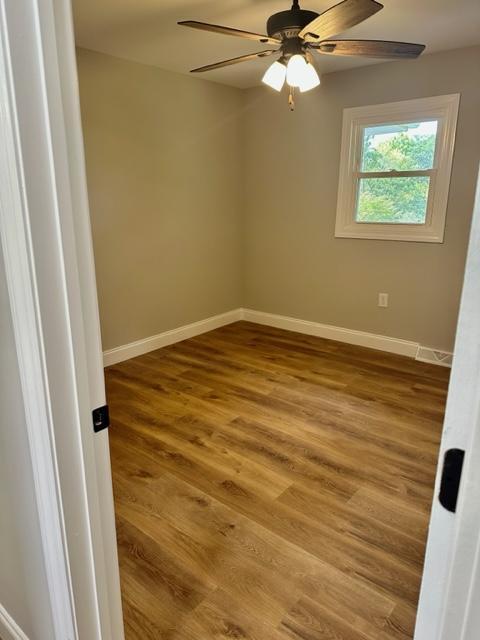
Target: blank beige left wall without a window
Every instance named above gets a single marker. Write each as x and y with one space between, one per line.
164 181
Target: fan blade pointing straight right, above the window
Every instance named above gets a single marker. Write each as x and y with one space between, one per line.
370 48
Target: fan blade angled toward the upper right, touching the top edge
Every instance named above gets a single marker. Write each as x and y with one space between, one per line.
339 18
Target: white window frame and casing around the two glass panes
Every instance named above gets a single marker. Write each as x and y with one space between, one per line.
355 120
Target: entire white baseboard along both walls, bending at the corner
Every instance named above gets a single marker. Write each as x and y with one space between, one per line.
330 332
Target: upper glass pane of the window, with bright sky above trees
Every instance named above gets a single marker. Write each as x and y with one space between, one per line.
399 147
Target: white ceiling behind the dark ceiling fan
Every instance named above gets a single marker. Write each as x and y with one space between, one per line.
146 31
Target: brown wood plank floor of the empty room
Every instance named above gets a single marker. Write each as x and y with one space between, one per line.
270 485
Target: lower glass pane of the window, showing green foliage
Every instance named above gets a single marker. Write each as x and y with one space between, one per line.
393 200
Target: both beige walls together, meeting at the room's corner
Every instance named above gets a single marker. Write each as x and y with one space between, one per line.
205 198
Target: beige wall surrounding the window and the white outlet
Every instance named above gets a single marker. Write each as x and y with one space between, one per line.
294 265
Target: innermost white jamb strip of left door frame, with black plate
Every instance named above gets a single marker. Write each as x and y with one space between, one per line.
59 47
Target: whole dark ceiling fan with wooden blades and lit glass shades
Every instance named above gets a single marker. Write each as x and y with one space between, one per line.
299 32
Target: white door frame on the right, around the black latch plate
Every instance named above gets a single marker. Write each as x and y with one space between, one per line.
452 563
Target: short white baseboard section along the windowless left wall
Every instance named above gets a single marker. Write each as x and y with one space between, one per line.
138 348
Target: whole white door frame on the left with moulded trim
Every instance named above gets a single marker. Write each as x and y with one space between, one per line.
46 239
